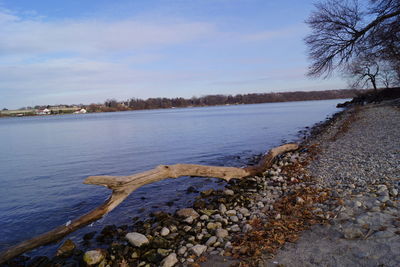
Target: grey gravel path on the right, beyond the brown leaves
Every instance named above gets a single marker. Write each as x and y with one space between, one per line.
362 167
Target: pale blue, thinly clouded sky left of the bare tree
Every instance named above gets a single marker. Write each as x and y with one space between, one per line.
87 51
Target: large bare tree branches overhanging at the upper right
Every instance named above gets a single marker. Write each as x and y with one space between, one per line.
342 29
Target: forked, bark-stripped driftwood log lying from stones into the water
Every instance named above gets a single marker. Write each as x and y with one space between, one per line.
123 186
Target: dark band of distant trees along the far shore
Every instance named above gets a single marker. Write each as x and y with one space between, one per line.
213 100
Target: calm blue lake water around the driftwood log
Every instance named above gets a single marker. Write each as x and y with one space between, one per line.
43 160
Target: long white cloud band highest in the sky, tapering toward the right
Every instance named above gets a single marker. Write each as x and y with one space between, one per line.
90 36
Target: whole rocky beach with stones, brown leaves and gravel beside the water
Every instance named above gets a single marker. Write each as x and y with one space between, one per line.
334 202
